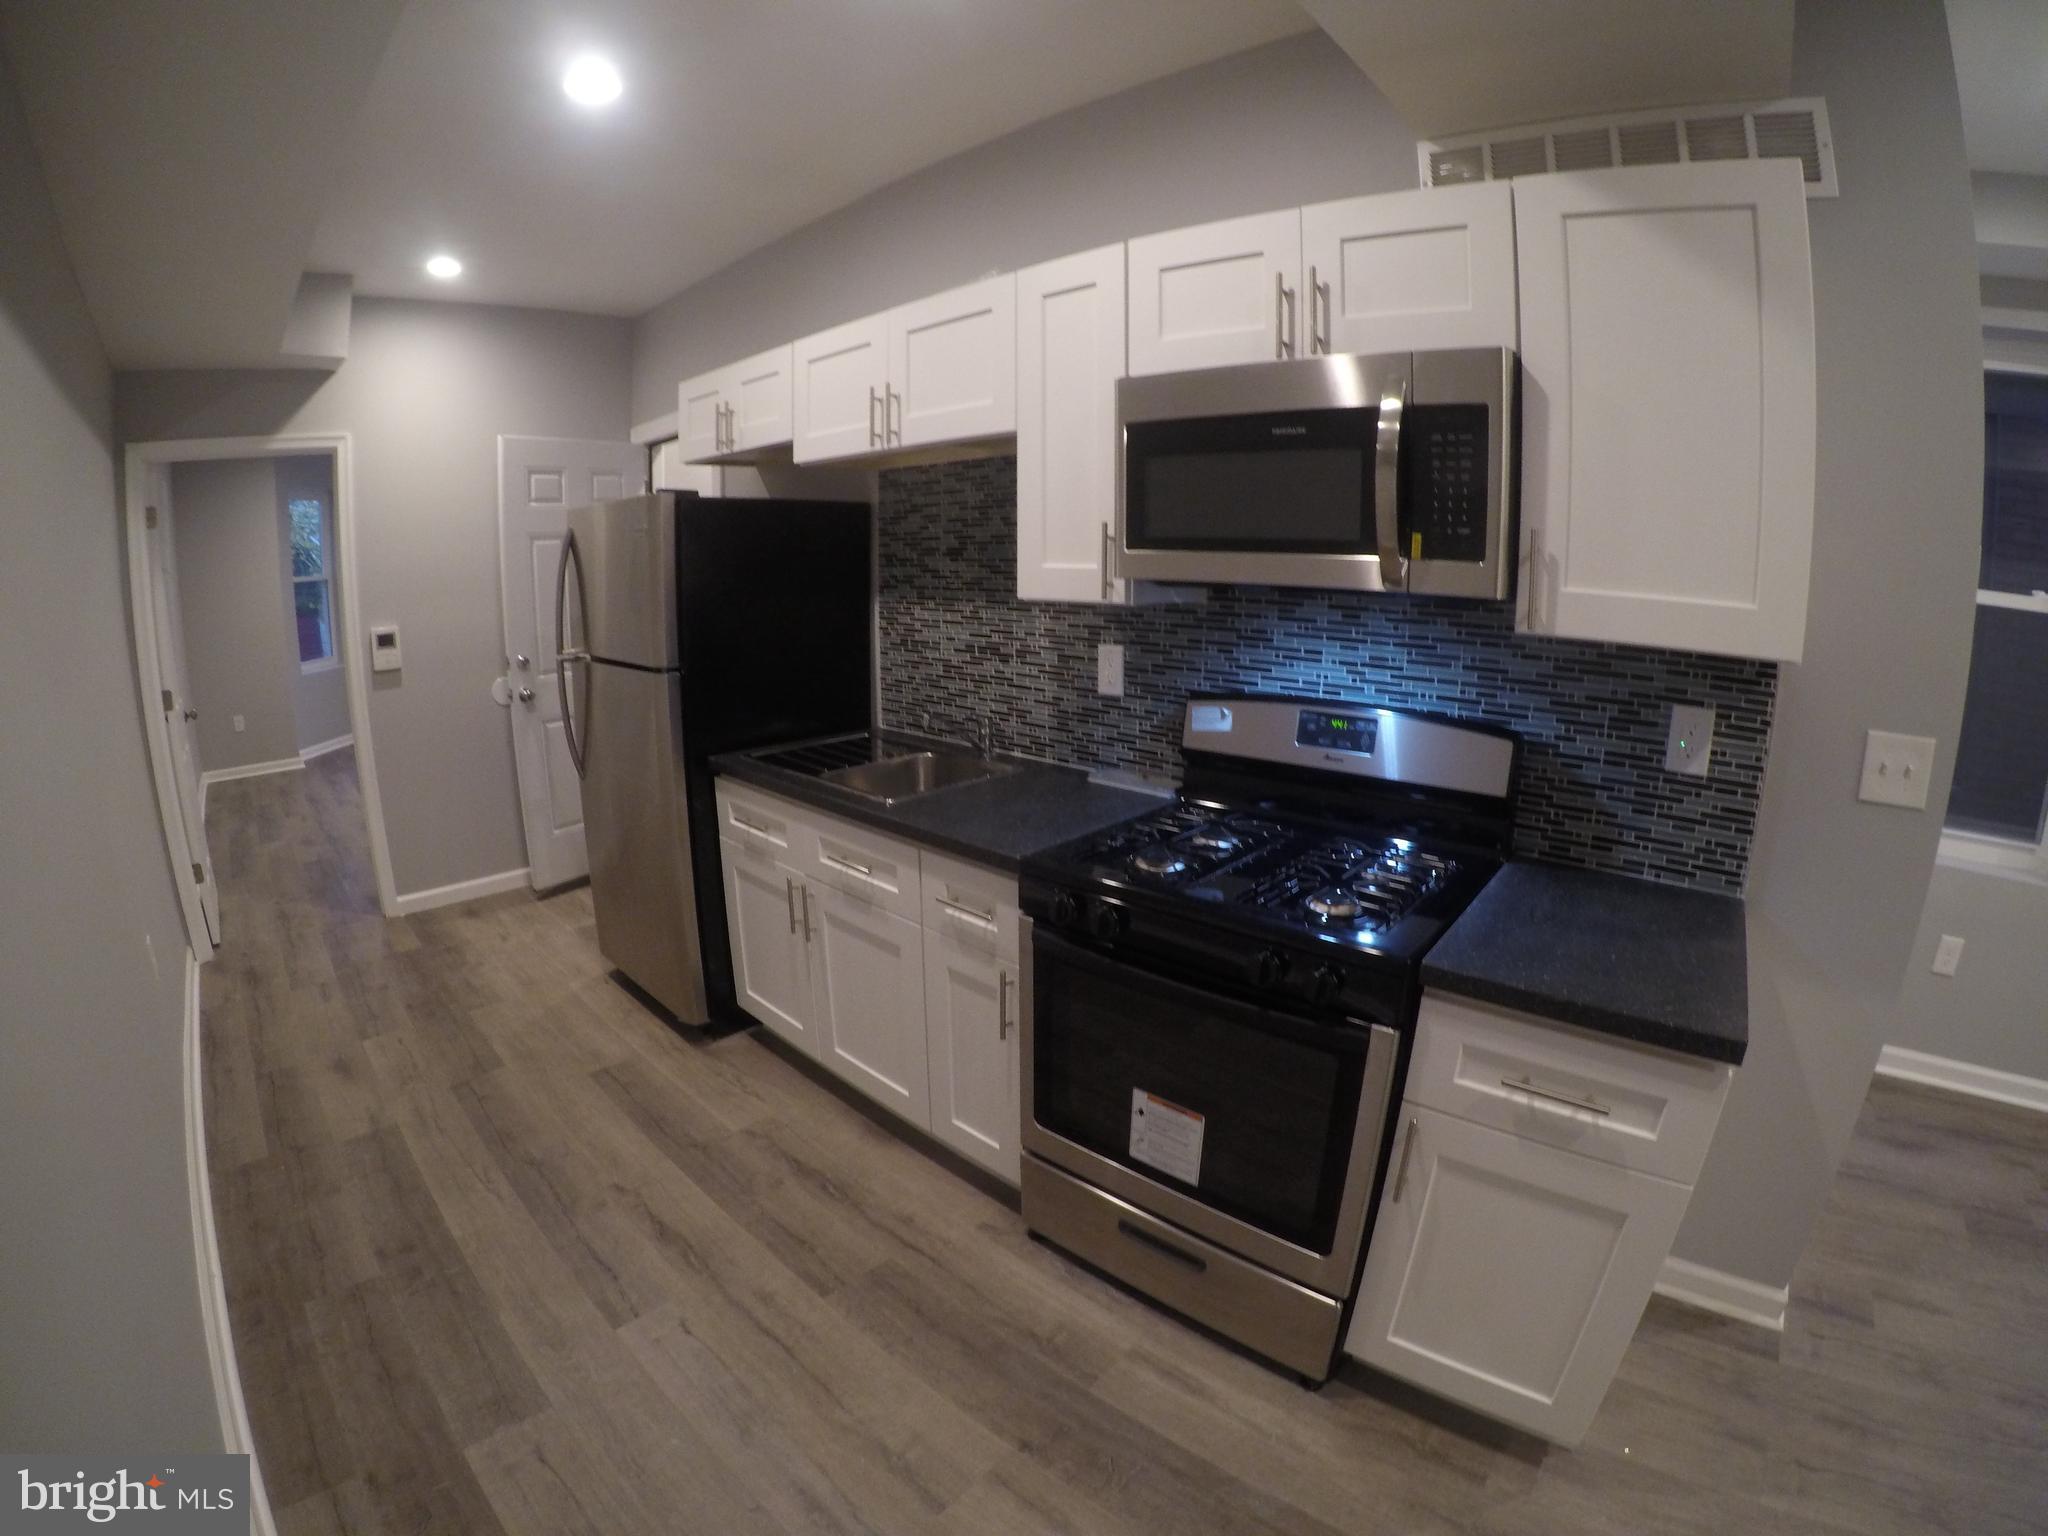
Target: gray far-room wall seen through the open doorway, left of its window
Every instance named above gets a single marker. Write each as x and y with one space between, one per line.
241 656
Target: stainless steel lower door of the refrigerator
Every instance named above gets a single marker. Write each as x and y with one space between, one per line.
638 833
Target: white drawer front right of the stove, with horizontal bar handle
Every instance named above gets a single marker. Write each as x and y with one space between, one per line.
1633 1107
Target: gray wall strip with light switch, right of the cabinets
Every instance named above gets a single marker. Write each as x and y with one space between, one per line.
1836 888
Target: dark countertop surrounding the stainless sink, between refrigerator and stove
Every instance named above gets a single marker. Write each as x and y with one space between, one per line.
996 822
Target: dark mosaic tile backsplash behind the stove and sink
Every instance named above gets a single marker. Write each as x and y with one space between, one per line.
957 644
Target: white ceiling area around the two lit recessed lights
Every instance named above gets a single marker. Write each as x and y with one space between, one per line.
742 120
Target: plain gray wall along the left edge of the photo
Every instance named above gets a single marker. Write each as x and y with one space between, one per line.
101 1342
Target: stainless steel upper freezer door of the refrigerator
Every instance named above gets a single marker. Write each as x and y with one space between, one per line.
626 556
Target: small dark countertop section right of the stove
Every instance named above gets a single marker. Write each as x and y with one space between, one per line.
1650 964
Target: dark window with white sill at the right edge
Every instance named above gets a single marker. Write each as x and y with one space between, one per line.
2000 802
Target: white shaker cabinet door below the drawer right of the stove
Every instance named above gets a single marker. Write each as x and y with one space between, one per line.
1506 1275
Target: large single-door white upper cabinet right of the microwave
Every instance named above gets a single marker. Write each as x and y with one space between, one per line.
1668 407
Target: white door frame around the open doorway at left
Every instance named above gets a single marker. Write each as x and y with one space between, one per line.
138 460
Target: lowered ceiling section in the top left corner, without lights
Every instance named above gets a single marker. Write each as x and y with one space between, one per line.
189 146
